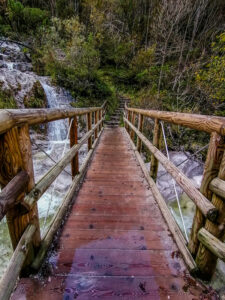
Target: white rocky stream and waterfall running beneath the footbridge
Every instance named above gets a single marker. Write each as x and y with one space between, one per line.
16 75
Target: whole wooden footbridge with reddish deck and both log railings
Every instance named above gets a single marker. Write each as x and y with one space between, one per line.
117 237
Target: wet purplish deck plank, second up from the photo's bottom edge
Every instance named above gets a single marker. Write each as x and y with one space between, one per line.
117 262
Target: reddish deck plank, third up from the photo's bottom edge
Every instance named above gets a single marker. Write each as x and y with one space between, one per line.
126 240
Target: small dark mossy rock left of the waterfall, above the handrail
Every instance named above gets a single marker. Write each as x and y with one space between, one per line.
36 98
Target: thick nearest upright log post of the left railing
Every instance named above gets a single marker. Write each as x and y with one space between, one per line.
15 155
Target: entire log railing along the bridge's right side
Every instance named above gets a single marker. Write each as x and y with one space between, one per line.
208 228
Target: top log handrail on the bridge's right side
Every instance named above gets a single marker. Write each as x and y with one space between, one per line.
194 121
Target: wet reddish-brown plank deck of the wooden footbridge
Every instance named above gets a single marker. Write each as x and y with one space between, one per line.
115 243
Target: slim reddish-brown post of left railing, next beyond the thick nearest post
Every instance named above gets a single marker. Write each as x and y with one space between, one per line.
74 141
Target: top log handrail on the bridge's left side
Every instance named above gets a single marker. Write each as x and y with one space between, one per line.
10 118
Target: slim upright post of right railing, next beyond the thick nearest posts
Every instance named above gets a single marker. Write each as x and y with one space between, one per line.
156 142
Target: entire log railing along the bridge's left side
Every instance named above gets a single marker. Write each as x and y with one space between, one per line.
19 195
